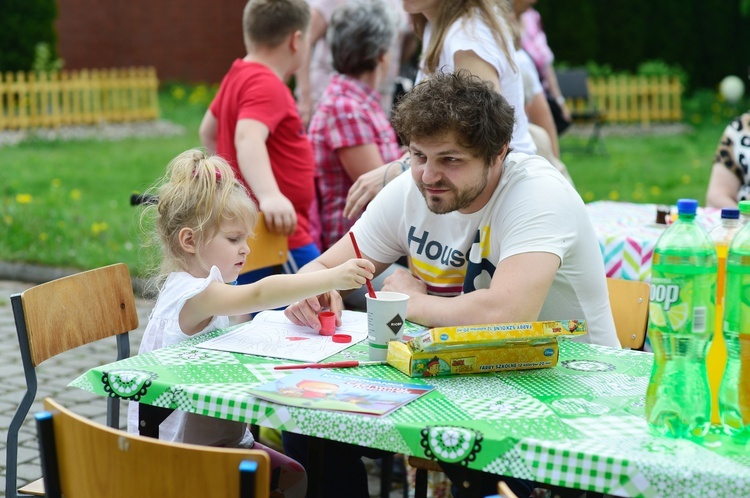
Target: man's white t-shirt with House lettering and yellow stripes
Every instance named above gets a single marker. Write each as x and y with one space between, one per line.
533 209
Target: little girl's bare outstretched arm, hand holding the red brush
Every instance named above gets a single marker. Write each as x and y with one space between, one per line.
270 292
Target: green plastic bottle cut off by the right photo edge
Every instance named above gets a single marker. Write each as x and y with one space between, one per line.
734 394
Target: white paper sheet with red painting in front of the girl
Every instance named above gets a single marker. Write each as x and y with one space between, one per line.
271 334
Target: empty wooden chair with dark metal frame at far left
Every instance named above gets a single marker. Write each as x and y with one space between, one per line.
60 315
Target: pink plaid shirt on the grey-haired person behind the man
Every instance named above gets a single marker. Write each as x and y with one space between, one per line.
348 114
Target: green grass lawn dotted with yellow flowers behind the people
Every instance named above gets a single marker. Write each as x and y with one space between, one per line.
67 203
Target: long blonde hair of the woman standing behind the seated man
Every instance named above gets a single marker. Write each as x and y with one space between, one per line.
492 12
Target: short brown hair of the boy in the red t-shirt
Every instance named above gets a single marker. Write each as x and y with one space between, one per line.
269 22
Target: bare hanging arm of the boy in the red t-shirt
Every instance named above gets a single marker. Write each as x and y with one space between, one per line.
252 156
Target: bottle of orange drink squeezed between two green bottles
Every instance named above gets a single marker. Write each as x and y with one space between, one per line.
716 359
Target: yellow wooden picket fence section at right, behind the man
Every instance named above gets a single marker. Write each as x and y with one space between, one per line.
636 99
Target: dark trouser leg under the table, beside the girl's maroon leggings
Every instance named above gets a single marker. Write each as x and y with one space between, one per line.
342 472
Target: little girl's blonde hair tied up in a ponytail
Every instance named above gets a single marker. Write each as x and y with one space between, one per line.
199 192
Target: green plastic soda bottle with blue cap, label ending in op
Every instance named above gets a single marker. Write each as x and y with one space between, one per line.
681 322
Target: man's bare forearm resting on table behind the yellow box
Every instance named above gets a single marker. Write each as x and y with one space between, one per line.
516 294
